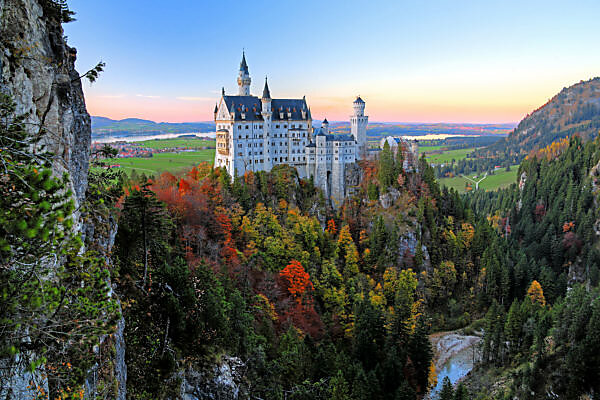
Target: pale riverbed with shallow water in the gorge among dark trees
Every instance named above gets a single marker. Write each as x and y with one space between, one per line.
454 355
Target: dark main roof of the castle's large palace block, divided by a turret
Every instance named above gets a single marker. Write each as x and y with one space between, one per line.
252 106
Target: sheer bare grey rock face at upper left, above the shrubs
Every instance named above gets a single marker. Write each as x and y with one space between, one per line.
37 70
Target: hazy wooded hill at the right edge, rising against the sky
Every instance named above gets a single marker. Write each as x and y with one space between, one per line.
575 110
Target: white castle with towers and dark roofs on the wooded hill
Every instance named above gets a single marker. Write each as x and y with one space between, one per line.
258 133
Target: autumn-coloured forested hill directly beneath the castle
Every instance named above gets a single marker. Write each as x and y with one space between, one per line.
314 303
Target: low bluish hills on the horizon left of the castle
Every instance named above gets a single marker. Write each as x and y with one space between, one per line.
102 127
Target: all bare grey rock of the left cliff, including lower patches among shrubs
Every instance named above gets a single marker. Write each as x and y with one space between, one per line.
37 69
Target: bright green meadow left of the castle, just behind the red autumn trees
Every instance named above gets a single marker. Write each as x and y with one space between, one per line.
161 162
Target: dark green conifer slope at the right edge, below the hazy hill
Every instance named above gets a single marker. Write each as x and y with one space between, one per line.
541 334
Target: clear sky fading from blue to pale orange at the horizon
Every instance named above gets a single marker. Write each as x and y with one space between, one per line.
459 61
